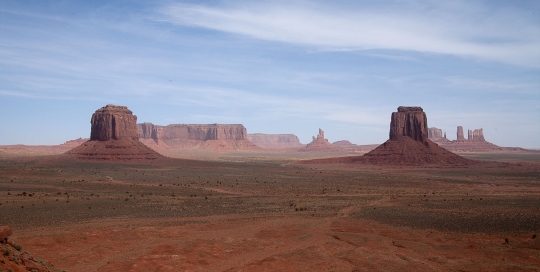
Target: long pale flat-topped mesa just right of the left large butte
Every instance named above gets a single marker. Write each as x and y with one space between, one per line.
218 137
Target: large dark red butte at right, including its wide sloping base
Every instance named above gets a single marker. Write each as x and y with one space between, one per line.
408 144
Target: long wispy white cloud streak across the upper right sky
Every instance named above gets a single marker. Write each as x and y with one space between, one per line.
461 29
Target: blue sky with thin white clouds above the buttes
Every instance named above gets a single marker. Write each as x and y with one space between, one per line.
274 66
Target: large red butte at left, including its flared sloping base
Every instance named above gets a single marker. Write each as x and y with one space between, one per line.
113 137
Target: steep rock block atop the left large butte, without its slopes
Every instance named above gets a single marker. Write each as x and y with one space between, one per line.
113 122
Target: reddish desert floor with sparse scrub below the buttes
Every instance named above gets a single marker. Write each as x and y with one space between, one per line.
268 213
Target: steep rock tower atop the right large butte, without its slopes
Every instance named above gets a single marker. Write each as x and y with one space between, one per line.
409 121
